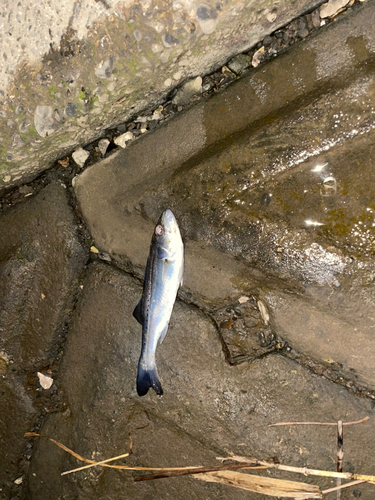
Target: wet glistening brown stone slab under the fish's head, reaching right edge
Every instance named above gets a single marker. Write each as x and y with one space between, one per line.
281 213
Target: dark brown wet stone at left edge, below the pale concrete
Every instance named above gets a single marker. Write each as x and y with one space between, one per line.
41 260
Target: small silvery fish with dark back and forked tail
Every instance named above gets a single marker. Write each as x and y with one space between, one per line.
163 277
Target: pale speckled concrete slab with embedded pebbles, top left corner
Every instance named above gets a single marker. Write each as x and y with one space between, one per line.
64 65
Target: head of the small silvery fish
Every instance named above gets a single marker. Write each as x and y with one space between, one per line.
167 236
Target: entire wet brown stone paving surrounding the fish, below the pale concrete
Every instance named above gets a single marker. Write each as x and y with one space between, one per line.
274 321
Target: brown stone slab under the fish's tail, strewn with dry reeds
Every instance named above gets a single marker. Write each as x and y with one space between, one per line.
206 412
